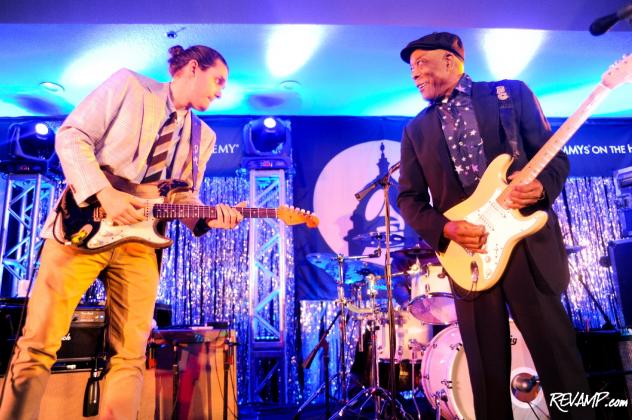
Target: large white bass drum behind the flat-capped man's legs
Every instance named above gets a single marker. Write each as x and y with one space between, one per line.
445 372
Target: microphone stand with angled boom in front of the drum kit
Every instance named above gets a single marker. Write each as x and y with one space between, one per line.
376 391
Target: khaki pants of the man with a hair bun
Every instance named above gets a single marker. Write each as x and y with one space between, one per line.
130 274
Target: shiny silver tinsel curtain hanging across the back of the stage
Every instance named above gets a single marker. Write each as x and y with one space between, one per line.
205 279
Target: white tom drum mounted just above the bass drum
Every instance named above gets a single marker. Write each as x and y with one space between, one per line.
432 301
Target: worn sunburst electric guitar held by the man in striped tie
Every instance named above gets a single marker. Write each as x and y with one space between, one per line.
88 229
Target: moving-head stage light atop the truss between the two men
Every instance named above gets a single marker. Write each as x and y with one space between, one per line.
267 144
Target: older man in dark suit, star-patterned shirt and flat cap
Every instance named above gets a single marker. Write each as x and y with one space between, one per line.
445 151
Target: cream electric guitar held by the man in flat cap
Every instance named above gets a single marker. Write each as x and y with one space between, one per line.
487 205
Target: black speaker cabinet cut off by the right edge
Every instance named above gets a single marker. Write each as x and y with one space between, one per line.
620 253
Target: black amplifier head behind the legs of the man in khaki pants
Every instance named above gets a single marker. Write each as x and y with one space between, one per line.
83 342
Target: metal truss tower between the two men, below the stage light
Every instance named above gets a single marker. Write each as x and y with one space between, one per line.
268 274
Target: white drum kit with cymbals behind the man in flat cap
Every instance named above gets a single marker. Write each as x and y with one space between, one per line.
434 367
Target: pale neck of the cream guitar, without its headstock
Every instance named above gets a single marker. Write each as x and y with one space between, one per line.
561 136
